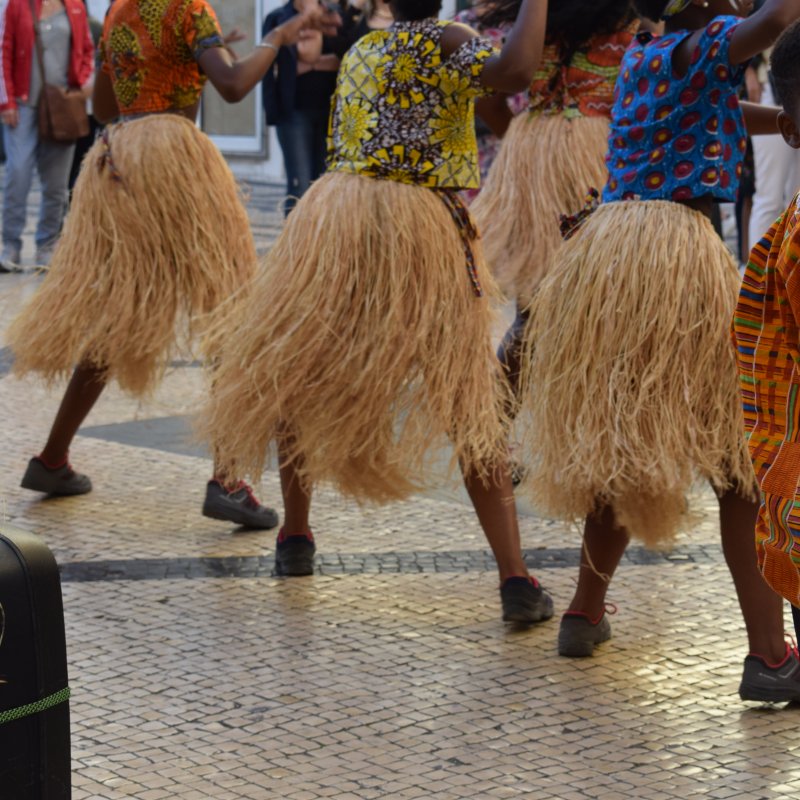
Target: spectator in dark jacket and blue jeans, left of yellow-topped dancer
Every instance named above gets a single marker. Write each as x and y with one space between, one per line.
297 99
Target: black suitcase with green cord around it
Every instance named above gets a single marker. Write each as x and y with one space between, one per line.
34 692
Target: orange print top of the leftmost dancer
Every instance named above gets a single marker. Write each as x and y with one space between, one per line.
150 49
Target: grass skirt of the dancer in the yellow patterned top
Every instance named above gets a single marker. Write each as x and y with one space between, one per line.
361 346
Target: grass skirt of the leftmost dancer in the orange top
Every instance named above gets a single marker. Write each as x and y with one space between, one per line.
155 238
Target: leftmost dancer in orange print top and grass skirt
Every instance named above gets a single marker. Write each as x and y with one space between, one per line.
157 235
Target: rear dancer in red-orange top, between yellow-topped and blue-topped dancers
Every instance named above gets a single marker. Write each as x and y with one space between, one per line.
550 155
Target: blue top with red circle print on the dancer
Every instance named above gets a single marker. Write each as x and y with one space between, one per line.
677 138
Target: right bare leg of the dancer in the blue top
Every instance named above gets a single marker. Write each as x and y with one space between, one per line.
762 608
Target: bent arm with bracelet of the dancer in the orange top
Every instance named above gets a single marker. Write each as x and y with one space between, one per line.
234 79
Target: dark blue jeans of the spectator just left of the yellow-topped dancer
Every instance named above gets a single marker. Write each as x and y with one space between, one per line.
303 140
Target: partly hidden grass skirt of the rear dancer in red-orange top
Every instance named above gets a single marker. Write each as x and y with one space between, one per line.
545 167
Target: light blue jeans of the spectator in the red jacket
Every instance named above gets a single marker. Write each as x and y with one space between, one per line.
52 161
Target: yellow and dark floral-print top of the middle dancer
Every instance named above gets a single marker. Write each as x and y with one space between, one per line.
405 113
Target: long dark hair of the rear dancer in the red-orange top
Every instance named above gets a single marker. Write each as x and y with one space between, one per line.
570 23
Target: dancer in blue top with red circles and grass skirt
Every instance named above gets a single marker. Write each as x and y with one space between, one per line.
628 367
